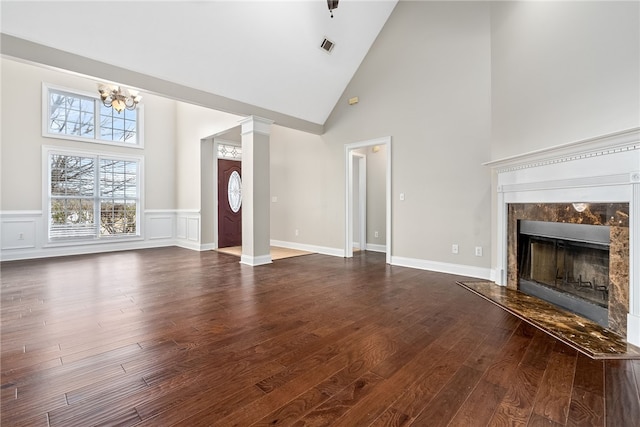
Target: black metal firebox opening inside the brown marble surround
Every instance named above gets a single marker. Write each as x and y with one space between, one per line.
567 265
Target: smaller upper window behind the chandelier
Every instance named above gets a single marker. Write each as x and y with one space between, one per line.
82 116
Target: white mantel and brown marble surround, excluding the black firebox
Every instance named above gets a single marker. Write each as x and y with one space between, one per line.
603 172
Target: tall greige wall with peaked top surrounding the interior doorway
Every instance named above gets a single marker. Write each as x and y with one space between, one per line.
426 83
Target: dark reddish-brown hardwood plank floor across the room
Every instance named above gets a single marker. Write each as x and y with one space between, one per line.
169 336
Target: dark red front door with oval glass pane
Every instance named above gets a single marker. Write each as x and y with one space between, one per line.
229 203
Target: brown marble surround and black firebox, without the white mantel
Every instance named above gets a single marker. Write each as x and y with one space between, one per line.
598 235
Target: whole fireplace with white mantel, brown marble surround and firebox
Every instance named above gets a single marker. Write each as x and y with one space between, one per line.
593 182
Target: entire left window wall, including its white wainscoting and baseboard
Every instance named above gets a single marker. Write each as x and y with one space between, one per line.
21 175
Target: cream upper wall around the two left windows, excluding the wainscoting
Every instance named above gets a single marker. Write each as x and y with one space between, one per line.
22 138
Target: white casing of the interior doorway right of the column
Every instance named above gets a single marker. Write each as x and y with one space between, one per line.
351 186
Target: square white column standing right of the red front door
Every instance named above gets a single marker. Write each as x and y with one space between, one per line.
256 206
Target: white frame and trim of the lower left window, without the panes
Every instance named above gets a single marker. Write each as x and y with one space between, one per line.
47 152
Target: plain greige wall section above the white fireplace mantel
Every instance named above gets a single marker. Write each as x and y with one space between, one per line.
562 71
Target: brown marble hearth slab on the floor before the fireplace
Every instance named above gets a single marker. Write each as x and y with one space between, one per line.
582 334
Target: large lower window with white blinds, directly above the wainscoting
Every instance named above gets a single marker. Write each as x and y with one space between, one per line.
93 196
